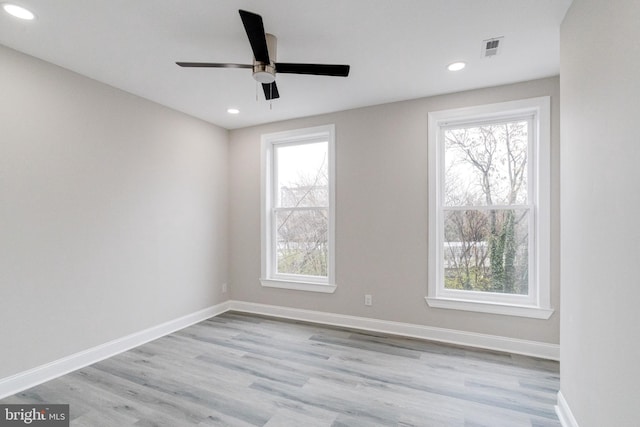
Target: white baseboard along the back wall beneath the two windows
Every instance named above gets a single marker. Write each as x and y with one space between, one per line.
490 342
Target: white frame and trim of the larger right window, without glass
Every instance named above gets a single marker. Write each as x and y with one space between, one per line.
537 304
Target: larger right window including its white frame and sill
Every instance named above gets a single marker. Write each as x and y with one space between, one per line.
489 213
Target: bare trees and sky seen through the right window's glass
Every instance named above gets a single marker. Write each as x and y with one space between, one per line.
486 212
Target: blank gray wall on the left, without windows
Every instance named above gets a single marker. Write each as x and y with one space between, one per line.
113 213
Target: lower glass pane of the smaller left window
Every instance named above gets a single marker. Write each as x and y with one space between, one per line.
302 244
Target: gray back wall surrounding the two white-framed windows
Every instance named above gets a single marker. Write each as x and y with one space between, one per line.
381 224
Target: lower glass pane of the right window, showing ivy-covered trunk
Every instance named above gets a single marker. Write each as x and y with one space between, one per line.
487 250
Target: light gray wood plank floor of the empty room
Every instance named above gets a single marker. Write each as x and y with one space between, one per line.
244 370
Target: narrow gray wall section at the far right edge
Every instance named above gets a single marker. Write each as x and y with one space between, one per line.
600 351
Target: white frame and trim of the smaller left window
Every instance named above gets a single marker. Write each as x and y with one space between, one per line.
269 276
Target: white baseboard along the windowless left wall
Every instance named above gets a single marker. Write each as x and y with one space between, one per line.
27 379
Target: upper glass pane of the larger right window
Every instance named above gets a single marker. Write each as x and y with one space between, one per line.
486 165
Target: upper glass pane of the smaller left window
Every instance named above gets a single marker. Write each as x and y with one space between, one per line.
302 175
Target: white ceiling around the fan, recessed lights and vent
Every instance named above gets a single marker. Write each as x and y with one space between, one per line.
397 49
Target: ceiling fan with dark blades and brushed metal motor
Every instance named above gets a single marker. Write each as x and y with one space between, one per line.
264 65
